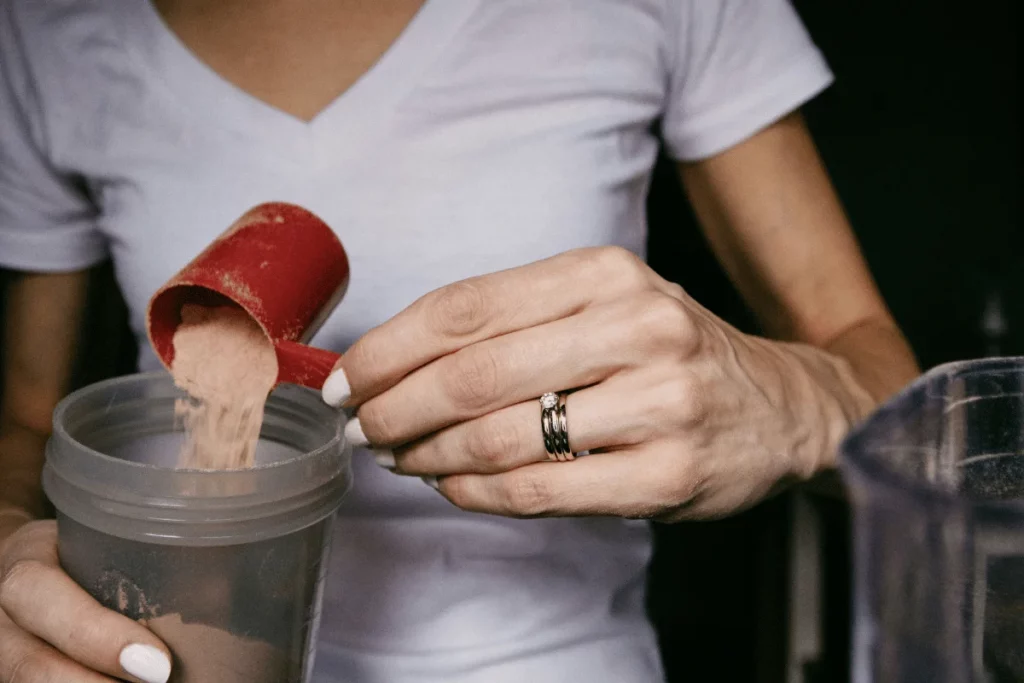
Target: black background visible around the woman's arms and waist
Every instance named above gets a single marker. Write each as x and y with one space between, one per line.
921 136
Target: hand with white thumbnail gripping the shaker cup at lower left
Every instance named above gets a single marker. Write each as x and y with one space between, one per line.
52 631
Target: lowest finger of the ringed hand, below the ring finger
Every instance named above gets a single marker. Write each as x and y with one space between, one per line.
638 484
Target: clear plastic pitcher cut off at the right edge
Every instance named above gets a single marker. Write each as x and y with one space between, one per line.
937 481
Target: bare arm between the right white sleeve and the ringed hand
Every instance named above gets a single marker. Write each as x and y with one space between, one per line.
775 222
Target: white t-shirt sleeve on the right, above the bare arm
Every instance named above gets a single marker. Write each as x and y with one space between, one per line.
737 67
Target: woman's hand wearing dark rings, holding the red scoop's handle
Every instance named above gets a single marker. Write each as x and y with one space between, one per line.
684 416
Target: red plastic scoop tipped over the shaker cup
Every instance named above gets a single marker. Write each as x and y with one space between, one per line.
281 265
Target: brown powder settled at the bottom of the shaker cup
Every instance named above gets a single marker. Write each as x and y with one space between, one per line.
206 655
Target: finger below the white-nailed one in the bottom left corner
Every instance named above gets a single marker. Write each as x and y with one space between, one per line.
25 659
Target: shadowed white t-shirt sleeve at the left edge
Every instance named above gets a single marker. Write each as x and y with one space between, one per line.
48 221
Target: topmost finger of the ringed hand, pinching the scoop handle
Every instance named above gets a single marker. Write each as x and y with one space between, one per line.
480 309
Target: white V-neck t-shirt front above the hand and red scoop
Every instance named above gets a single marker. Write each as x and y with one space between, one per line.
487 136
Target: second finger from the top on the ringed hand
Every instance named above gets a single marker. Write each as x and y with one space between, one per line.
571 353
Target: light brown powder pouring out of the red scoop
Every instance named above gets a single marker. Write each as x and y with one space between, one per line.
228 366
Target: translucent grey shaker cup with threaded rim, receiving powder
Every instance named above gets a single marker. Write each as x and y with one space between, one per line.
226 567
